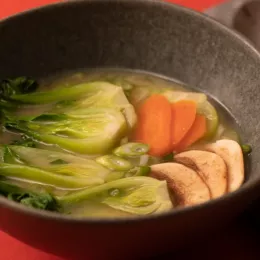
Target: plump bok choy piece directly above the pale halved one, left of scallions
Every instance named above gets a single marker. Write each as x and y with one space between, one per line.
88 131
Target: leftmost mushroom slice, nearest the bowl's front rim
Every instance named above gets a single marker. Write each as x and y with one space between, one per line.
185 184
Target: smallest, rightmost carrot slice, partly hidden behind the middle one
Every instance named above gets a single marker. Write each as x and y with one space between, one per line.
197 131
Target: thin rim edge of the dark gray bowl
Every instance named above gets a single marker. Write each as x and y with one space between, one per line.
247 187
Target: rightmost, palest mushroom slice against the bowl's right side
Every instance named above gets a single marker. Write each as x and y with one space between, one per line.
232 154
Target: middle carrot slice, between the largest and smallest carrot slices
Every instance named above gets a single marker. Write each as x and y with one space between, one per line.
183 117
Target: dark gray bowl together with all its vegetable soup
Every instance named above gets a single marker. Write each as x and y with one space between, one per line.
126 126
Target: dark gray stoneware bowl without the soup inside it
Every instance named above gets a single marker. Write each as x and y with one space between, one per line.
146 35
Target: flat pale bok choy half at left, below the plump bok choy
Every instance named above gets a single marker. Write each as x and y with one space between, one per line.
58 165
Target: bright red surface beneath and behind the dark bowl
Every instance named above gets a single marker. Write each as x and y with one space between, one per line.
11 249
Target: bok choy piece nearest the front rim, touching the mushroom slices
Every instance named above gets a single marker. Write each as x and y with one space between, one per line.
137 195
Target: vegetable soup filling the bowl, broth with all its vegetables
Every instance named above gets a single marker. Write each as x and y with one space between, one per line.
115 143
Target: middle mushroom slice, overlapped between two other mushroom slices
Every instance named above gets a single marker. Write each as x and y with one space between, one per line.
210 166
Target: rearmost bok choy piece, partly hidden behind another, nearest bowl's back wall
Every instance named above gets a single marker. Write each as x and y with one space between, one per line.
79 97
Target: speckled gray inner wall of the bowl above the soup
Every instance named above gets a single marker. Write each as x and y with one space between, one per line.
144 35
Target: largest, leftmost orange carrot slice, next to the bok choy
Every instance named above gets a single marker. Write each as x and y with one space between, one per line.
154 125
